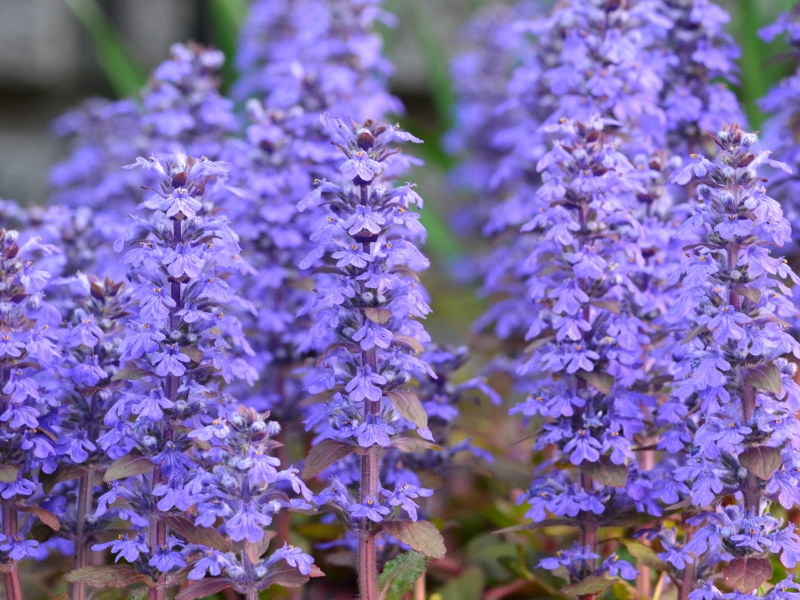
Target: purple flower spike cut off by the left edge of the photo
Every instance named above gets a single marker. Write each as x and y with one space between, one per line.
29 352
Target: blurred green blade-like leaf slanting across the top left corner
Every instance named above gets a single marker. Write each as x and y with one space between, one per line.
119 66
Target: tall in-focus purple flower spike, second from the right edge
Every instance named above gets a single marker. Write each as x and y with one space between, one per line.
587 337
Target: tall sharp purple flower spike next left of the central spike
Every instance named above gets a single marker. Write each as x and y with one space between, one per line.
174 359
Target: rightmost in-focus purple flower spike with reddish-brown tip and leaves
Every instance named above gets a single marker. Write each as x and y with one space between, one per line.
735 400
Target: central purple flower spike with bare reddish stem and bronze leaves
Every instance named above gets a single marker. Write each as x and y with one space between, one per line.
367 302
